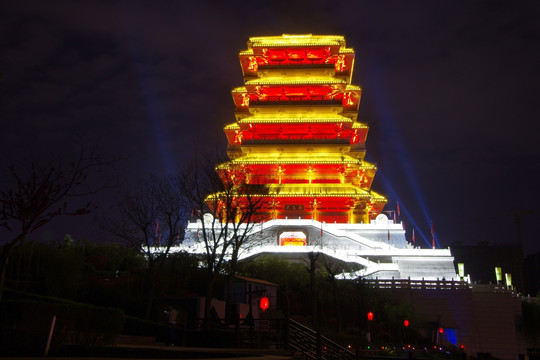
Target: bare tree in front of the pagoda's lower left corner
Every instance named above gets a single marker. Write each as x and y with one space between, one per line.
226 209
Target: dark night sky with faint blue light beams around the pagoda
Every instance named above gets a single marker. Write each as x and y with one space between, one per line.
451 92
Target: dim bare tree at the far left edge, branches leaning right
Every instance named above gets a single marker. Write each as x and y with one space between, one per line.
36 193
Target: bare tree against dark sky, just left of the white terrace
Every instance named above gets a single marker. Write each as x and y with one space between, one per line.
150 218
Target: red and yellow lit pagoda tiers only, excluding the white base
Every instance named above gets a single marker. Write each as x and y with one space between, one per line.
296 130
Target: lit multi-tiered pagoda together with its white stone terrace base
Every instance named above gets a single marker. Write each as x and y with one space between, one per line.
297 134
